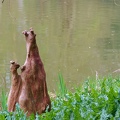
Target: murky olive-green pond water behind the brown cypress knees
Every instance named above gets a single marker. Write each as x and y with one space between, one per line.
77 38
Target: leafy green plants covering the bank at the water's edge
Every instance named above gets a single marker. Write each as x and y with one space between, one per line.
93 101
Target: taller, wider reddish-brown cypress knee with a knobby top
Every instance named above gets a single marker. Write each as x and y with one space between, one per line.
34 95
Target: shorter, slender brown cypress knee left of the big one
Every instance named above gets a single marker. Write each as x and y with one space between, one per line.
15 87
